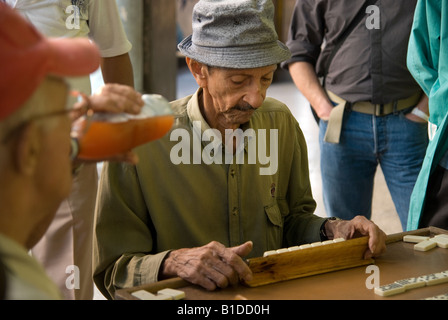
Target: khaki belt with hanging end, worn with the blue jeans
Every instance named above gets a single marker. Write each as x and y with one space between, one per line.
337 114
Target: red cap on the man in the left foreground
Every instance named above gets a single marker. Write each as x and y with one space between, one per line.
27 58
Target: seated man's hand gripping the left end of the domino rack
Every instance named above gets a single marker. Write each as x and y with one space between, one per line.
211 266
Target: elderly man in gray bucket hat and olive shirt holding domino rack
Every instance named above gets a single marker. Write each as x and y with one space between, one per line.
198 202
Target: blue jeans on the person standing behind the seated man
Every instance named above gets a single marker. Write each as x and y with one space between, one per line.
397 144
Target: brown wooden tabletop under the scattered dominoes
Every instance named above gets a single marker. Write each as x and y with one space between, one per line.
400 261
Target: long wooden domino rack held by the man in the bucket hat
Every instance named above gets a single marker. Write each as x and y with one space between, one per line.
309 261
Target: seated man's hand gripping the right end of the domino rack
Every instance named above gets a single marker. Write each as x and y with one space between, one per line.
357 227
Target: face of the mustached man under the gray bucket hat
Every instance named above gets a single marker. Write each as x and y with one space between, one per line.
236 93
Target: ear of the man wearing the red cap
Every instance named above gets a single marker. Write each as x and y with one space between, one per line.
27 149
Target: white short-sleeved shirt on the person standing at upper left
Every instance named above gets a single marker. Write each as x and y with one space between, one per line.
97 20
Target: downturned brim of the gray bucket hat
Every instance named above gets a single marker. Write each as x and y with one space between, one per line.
238 57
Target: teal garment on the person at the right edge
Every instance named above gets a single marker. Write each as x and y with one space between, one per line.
428 63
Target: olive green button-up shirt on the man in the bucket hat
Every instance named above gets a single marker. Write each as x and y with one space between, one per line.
144 211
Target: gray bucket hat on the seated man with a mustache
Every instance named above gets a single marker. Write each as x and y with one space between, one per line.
238 34
